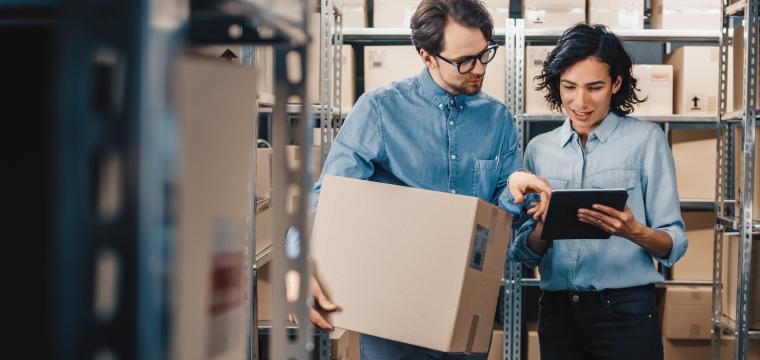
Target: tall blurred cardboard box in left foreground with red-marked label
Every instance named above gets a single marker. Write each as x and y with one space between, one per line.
217 117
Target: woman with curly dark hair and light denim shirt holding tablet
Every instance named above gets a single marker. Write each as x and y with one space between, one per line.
598 297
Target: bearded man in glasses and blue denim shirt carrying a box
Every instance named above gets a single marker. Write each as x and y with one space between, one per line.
434 131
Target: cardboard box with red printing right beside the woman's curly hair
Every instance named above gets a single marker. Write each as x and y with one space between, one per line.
656 85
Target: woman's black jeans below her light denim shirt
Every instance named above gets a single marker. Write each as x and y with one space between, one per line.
609 324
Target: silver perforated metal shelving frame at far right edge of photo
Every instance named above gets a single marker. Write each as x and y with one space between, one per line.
728 220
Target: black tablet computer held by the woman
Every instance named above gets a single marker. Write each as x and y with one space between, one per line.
562 217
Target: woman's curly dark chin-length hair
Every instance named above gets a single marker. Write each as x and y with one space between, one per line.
583 41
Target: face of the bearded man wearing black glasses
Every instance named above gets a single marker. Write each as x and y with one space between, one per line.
459 42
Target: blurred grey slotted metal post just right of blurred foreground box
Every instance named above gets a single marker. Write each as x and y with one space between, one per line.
290 203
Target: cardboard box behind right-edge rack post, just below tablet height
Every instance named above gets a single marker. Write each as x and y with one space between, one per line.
731 275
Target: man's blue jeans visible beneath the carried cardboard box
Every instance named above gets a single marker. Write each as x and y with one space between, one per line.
375 348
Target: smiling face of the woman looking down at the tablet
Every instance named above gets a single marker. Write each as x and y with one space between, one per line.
586 90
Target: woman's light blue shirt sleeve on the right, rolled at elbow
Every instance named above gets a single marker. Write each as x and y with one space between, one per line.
663 209
